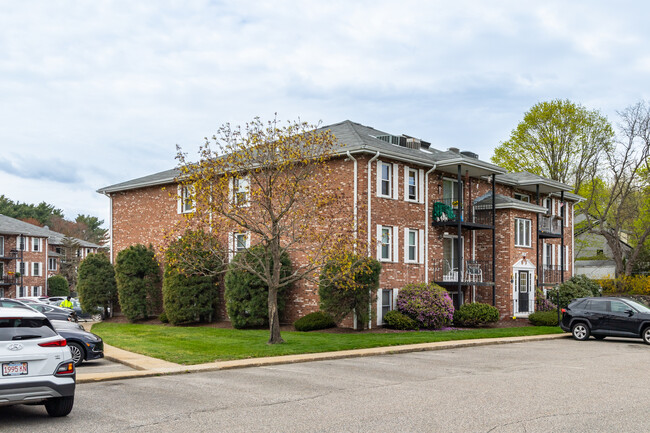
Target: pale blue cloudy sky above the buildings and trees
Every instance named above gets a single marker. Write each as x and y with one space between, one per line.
94 93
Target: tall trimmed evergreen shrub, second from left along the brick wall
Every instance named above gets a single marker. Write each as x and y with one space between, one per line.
138 282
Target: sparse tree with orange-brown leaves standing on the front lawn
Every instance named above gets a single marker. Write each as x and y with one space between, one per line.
264 181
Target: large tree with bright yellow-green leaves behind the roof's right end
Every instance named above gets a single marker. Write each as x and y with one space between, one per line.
560 140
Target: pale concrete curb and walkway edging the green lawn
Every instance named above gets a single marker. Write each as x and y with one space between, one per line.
147 367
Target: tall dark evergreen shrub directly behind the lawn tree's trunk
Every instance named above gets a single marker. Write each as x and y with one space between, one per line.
247 297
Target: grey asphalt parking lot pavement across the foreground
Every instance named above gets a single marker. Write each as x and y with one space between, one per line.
545 386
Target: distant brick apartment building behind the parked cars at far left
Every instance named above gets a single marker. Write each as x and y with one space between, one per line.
29 255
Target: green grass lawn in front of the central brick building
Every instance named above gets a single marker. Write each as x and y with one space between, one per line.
196 345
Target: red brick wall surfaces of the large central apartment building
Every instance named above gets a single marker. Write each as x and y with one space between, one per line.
143 216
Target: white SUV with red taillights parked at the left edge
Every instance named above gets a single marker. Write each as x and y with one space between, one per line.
35 362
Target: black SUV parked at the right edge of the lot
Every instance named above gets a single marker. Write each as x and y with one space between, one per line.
606 317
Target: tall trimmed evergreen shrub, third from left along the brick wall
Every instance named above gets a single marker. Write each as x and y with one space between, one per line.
193 266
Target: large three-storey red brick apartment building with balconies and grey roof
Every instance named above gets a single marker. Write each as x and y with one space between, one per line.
493 237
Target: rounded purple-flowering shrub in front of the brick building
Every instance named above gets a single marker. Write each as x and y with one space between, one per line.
429 305
